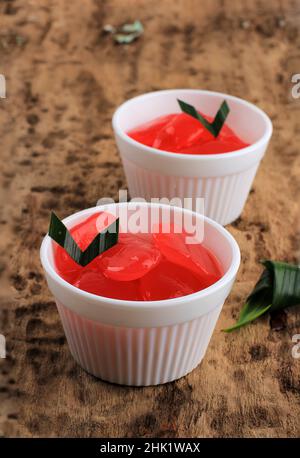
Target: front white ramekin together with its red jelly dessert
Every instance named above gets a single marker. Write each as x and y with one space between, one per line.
142 312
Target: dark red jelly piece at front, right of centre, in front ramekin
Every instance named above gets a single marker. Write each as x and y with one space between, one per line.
168 281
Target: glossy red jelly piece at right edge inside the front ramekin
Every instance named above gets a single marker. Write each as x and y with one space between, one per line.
194 257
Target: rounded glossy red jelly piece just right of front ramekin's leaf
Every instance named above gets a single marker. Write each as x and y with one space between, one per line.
131 258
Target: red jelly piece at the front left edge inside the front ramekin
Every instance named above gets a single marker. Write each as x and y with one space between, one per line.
96 283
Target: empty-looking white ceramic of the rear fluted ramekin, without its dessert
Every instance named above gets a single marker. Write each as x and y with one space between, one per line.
223 180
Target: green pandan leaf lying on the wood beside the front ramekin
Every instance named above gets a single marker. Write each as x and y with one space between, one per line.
277 288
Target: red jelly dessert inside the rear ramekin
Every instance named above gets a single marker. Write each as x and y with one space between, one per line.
181 133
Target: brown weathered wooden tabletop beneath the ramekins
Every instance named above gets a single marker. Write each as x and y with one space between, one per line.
64 80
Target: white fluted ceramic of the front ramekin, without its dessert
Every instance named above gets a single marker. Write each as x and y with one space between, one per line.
142 343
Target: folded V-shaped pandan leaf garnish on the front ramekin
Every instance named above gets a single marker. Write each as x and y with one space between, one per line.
102 242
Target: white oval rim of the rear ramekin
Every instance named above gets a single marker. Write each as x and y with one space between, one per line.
237 153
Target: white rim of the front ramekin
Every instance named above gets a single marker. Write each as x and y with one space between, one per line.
120 303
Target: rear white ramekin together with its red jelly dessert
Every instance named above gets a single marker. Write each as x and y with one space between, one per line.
168 154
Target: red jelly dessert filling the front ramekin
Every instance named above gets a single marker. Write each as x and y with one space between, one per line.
140 266
